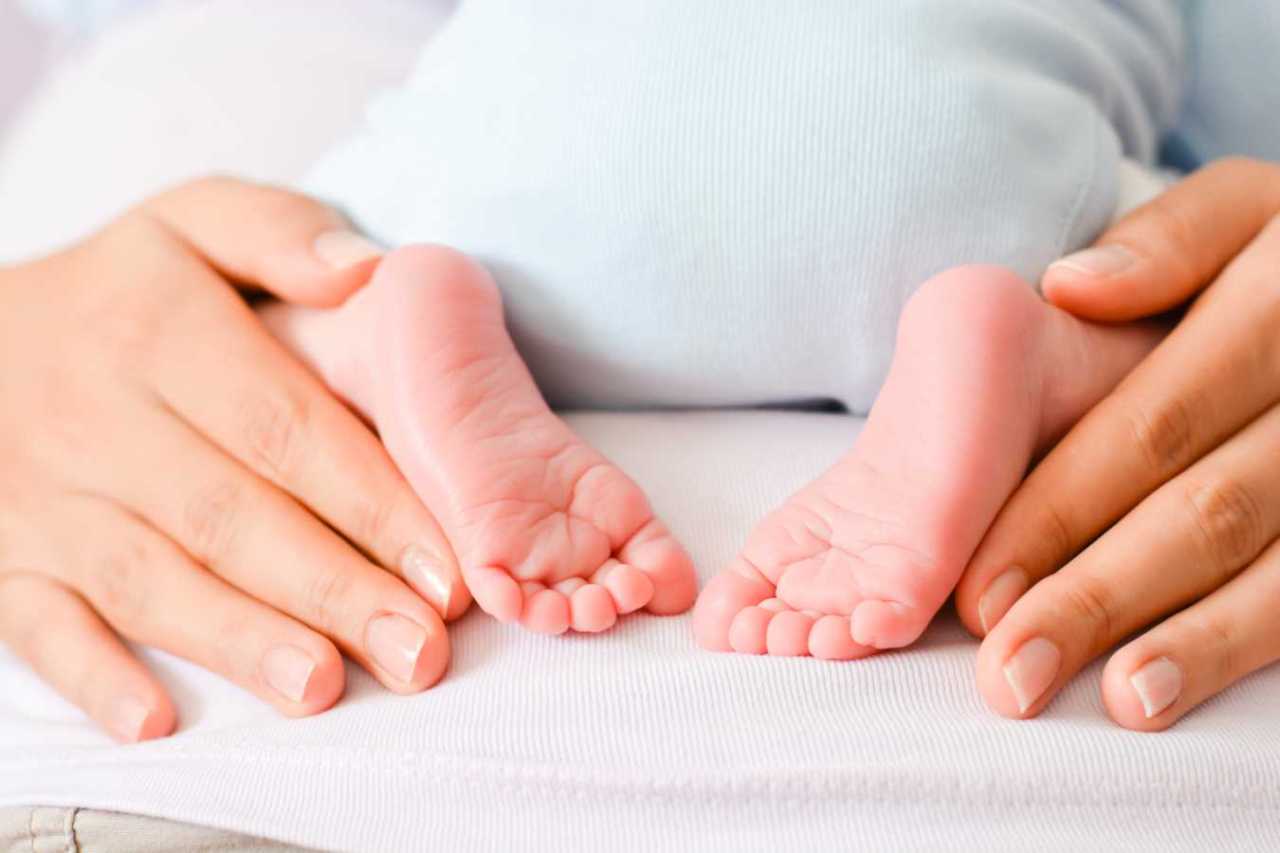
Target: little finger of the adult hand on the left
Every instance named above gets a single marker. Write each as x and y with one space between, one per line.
70 647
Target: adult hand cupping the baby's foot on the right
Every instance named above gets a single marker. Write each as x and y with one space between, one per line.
1160 512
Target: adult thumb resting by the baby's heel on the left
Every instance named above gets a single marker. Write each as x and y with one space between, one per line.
269 239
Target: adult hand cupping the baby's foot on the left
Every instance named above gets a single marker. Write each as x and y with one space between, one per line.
172 476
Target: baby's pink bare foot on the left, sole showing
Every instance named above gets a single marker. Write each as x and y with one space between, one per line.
547 530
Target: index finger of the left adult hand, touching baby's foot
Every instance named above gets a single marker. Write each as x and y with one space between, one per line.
273 416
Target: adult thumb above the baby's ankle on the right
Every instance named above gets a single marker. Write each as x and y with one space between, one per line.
1171 249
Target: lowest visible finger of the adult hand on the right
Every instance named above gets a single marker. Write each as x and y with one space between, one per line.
1197 654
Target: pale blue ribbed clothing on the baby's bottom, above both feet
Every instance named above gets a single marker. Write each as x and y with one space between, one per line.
729 202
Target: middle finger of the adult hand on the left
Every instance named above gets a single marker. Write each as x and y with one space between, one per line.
262 542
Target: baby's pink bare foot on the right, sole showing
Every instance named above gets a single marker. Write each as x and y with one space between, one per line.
861 560
